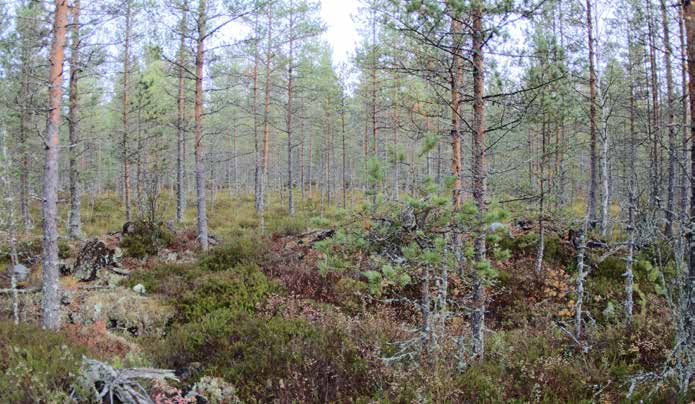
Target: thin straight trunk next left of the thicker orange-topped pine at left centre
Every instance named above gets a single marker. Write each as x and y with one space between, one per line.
181 117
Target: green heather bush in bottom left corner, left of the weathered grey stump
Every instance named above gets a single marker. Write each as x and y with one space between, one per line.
36 365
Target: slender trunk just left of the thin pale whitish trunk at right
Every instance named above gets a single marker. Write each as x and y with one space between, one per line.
593 184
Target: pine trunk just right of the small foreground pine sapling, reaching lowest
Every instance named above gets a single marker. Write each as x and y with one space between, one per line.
479 180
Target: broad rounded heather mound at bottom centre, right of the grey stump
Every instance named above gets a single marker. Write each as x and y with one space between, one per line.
270 359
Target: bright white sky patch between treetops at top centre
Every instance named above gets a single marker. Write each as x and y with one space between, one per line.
341 31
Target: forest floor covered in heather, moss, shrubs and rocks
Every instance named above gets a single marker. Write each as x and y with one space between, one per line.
265 319
